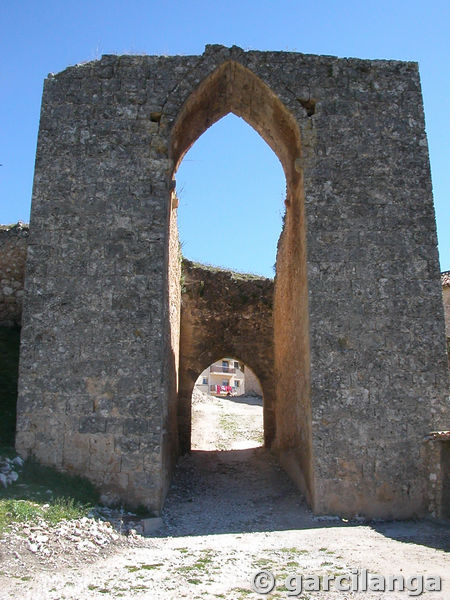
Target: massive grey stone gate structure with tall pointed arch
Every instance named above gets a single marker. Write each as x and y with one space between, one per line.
360 369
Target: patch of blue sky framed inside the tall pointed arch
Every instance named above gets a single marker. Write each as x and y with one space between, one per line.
231 189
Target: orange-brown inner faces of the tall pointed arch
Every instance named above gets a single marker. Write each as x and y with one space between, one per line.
234 88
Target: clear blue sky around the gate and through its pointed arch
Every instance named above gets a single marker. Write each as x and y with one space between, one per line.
229 169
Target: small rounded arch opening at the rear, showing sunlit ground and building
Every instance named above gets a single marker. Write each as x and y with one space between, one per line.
225 415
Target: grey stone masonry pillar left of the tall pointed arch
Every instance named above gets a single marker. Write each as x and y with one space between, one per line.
93 394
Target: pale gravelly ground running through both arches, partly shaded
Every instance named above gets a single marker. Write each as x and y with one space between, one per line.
232 513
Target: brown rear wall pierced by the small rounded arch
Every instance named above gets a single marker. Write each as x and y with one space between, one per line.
225 314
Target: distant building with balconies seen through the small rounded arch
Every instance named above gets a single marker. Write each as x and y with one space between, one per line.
228 376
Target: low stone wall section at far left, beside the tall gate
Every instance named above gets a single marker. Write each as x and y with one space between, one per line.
13 252
